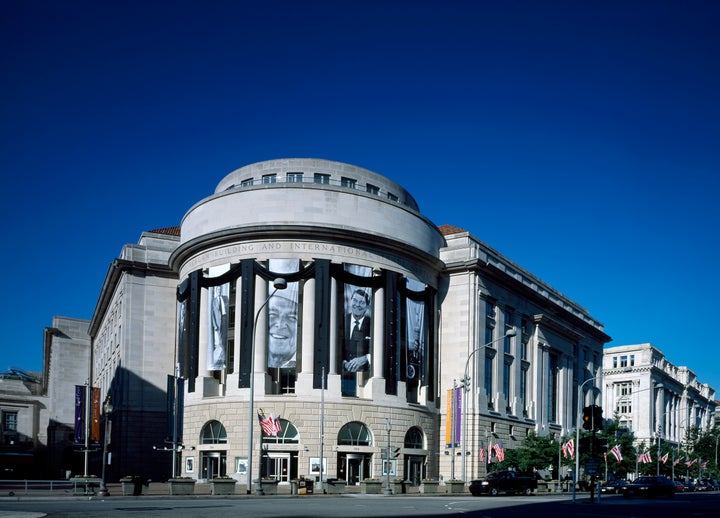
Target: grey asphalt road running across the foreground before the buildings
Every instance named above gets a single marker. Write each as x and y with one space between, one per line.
697 505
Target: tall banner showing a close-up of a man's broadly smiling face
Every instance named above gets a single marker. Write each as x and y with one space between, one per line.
283 318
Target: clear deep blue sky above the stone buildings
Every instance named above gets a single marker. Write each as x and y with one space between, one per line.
581 139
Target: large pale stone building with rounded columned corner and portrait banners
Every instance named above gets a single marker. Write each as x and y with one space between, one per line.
377 313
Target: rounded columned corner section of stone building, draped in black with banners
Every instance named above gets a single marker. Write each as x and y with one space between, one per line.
346 350
